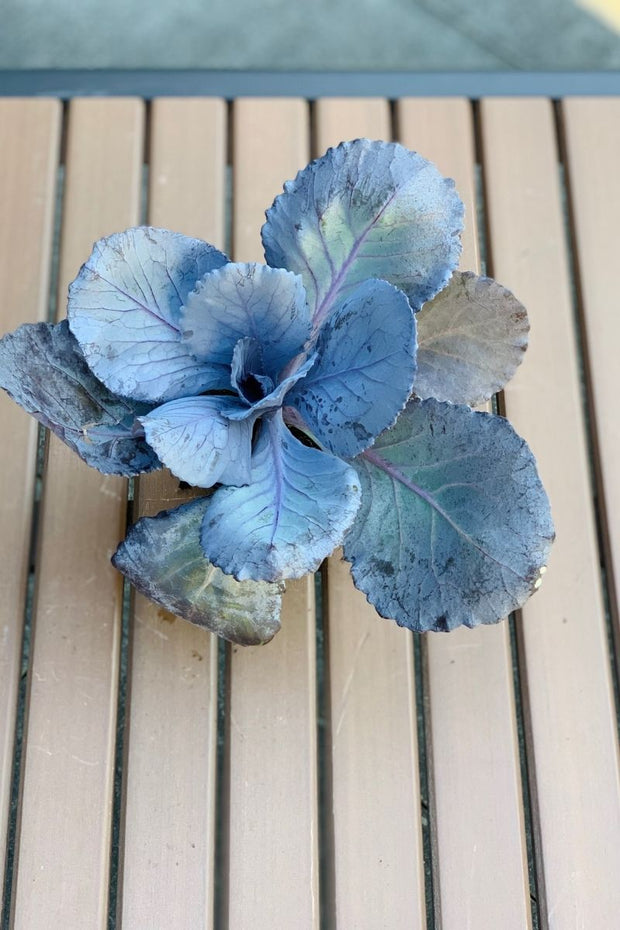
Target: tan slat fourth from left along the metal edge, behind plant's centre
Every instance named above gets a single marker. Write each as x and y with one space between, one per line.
273 867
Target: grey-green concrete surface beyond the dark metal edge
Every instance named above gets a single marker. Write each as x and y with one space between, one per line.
306 34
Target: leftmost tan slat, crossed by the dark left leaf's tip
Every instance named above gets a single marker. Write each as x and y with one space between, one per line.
29 137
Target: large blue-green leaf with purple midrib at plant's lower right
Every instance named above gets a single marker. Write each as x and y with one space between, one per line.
454 527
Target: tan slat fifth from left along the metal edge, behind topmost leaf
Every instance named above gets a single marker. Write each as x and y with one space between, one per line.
373 739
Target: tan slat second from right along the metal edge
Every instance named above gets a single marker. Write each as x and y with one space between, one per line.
574 754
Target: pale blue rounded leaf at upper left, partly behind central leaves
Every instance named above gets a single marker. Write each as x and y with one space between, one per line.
125 311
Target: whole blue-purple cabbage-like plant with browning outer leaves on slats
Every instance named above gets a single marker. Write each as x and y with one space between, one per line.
322 399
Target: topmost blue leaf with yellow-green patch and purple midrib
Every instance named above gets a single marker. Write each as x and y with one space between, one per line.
366 210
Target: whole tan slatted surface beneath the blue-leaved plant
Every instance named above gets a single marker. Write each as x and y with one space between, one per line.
348 776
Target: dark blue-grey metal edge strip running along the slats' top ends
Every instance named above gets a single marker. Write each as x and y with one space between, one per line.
310 84
